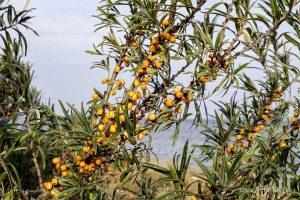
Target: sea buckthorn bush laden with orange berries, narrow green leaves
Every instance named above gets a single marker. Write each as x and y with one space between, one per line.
162 63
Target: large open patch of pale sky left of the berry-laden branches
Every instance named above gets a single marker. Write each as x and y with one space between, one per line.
62 68
